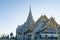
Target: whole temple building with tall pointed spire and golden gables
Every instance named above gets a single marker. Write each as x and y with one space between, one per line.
32 30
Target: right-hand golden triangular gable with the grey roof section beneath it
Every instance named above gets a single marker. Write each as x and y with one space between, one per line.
50 26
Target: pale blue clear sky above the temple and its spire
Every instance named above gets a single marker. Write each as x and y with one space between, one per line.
15 12
